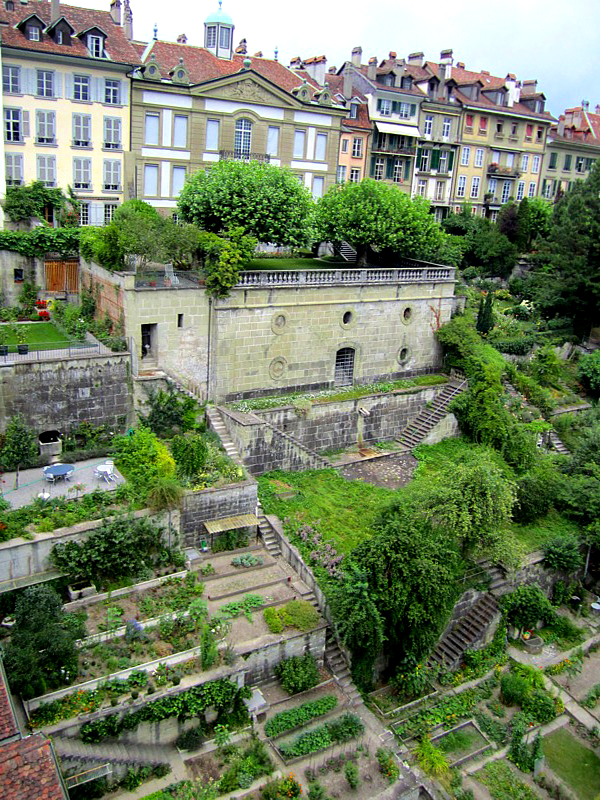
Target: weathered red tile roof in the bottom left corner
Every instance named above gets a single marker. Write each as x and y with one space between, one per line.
28 771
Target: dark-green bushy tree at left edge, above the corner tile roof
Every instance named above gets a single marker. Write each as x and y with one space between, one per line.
41 654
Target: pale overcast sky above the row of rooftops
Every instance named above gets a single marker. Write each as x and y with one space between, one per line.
554 41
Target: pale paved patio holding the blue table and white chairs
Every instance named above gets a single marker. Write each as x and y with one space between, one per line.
33 483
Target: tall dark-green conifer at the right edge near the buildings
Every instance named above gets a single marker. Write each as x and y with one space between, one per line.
568 283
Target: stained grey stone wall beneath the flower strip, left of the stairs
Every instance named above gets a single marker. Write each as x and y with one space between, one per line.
334 426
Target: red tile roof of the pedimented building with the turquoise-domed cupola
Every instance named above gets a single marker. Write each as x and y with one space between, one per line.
203 66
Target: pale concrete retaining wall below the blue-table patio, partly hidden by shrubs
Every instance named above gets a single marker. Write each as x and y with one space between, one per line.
24 561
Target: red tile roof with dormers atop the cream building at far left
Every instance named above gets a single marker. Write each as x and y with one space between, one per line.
118 47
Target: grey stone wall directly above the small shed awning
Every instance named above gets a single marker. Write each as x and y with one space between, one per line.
227 501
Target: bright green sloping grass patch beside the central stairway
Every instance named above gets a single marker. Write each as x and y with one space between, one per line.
343 511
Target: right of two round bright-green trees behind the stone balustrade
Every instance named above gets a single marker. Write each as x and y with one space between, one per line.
374 214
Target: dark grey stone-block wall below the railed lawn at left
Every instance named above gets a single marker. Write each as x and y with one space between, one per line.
59 393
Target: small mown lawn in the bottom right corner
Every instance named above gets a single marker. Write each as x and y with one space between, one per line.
575 764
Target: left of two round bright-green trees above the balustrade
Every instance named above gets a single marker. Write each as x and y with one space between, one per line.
266 201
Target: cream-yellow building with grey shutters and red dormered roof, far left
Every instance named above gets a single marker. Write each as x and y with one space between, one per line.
66 100
